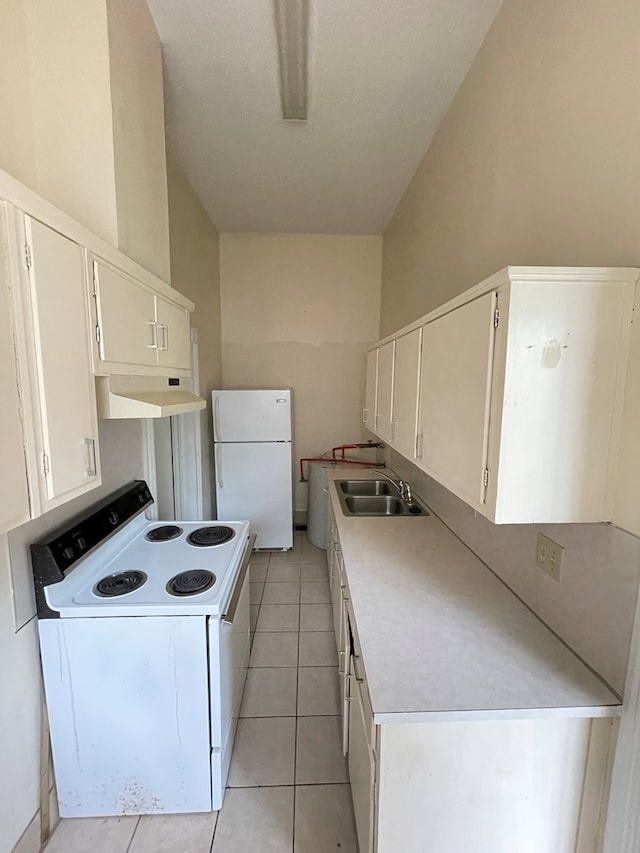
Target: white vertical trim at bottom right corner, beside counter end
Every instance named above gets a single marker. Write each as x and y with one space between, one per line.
622 832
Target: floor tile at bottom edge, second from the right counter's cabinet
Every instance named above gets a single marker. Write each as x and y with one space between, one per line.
255 820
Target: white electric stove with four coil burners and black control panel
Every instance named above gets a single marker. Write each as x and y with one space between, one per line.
144 638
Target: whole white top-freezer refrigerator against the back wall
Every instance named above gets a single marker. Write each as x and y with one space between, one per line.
252 451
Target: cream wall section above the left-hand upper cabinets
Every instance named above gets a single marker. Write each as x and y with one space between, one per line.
82 118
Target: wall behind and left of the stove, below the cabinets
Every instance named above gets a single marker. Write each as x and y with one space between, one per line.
121 451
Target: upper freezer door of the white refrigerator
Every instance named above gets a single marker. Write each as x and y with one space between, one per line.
252 415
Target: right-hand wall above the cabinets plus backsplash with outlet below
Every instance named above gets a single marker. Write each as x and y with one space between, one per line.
536 163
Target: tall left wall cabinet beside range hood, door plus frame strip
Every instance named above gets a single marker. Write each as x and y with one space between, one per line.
56 366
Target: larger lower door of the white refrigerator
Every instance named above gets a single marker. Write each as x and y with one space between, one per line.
254 481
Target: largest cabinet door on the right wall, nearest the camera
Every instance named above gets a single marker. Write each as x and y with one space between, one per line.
457 357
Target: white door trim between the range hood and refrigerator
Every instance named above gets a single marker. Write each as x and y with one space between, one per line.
186 443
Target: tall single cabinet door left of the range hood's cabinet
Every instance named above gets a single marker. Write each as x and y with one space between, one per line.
65 385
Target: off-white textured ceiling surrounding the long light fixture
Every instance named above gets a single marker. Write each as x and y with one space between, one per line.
382 74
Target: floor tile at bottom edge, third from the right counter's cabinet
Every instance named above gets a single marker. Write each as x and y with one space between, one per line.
174 833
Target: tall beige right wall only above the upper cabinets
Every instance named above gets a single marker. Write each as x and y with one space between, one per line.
535 163
